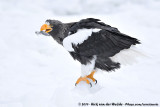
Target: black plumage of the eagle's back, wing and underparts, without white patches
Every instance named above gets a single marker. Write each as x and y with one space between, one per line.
103 44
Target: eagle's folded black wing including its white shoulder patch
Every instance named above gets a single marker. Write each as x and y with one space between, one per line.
91 37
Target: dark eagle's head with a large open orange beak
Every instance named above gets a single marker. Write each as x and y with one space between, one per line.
54 28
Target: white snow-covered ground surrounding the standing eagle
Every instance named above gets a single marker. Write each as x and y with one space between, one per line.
36 72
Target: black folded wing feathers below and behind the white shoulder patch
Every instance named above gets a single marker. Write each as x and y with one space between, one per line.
97 44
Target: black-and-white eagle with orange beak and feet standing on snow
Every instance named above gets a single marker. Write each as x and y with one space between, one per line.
92 42
